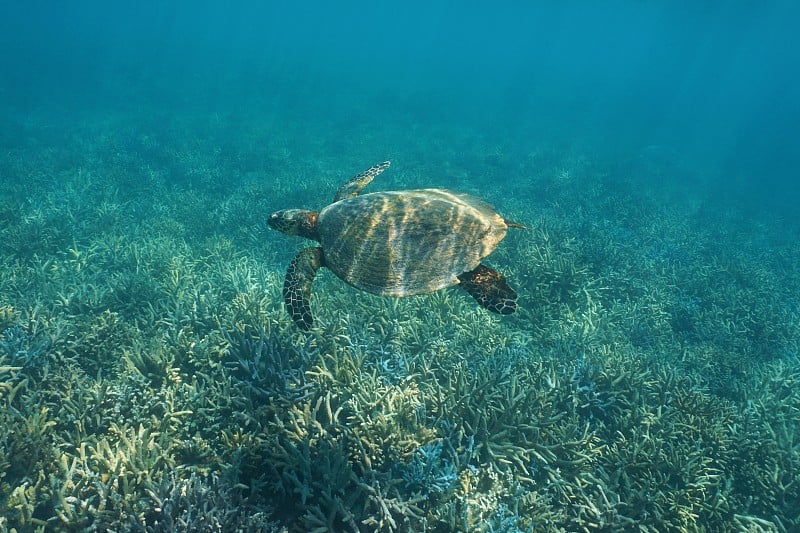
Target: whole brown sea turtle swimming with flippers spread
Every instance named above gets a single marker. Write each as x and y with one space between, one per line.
397 243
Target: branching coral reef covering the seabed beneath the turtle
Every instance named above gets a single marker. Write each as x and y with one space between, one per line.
150 381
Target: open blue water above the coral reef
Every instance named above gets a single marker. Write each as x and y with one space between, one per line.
714 85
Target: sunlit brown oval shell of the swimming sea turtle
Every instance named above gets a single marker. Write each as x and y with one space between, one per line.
399 243
